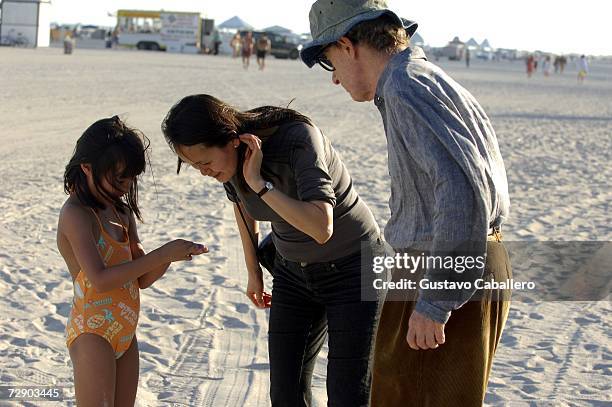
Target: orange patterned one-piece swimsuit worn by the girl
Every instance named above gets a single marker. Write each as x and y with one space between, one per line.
113 314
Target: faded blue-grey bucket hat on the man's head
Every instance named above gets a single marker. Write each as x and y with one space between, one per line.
332 19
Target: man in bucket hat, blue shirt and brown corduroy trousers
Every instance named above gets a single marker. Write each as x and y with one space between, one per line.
449 196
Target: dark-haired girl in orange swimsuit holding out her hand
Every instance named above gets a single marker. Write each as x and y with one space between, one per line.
97 238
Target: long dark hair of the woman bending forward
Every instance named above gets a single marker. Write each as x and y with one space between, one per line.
204 119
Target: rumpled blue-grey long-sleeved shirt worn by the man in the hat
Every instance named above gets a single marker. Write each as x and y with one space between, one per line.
448 180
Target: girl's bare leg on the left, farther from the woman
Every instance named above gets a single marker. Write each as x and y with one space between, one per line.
93 360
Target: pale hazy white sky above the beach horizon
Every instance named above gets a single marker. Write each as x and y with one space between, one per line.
581 26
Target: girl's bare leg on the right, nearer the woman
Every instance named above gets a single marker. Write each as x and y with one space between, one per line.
127 376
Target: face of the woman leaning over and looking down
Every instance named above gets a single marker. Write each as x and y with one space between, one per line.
216 162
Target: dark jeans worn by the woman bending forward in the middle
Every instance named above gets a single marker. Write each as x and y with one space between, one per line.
310 302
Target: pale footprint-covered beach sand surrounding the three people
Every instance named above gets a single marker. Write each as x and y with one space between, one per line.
201 342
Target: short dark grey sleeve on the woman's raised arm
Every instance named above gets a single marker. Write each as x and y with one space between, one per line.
308 161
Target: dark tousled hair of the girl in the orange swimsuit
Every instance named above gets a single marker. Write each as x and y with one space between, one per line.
109 146
